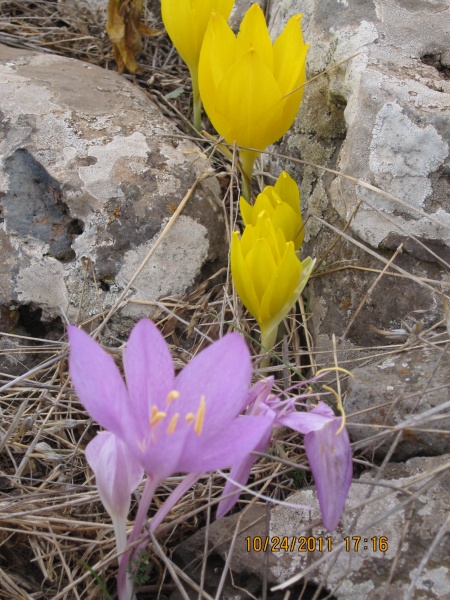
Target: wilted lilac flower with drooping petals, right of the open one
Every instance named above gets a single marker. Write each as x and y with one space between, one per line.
327 447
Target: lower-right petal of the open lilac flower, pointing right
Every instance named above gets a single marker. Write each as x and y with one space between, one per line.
226 447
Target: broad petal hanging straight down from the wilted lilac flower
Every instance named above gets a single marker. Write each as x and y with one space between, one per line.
330 459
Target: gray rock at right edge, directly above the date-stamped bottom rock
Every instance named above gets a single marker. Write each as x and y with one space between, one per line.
393 397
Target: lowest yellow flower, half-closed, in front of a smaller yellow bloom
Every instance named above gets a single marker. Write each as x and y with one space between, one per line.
267 275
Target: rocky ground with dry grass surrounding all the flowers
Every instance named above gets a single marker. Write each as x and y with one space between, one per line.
112 209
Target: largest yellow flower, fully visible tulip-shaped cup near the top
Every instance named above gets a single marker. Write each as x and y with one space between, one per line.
250 88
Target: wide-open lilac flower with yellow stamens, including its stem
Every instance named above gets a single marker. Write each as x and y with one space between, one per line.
190 423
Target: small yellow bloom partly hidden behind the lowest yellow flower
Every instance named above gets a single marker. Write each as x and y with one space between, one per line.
281 204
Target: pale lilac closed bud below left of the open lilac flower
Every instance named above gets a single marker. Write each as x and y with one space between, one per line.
117 472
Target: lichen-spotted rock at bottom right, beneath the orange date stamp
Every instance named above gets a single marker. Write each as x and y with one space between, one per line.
407 511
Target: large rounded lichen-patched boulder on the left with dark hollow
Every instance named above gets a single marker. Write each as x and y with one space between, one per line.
89 177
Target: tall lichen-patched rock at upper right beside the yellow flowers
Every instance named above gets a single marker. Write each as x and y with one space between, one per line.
382 117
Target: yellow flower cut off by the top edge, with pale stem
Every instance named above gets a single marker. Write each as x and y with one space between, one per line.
186 22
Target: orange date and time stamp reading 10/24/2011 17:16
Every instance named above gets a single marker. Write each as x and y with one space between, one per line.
354 543
